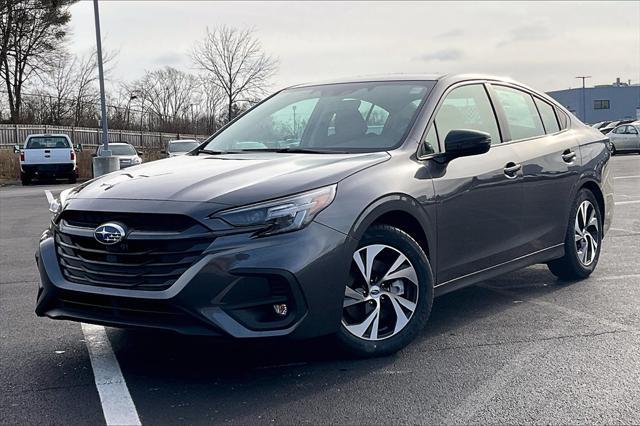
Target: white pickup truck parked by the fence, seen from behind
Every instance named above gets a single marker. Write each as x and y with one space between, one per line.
49 156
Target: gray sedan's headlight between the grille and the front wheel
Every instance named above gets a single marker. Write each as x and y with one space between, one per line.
281 215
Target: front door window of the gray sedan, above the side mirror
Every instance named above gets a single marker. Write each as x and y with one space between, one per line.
467 107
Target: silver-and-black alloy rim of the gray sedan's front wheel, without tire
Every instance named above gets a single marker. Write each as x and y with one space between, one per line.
382 297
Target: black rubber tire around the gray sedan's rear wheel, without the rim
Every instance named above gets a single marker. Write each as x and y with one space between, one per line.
570 267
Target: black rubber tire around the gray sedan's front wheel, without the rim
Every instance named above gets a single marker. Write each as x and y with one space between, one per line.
407 246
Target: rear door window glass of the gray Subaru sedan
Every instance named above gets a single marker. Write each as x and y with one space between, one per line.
521 114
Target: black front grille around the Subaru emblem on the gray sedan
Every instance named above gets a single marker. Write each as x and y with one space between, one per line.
147 260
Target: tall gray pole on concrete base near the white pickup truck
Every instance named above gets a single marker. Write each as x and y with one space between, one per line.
105 162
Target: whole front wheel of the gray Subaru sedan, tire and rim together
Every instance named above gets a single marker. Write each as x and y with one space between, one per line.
389 295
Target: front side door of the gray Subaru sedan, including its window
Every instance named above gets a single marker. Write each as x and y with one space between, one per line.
479 198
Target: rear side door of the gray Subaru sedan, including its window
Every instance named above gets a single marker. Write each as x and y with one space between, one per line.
550 163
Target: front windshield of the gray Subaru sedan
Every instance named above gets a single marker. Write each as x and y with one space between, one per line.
351 117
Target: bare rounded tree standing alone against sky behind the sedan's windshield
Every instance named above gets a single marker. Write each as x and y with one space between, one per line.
236 63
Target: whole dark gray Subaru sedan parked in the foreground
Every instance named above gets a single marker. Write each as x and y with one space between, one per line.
338 208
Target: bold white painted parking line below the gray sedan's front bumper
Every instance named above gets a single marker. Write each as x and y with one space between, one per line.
117 405
